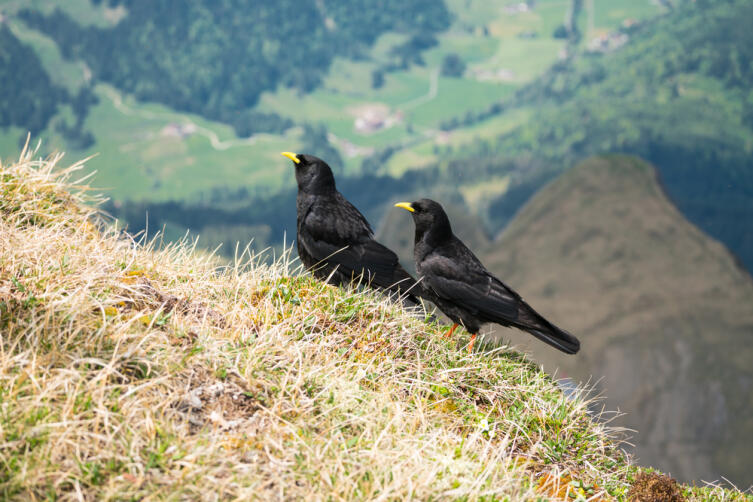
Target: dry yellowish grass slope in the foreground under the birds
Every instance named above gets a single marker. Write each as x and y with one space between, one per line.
128 371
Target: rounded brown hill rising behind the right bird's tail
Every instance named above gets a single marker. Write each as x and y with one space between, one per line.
661 308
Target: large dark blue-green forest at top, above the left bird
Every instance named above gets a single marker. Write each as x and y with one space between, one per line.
215 58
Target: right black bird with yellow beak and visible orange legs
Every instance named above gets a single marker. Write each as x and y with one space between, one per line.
467 292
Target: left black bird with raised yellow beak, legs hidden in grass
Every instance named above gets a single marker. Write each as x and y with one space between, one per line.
335 242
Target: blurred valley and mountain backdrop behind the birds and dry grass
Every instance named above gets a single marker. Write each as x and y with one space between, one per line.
596 154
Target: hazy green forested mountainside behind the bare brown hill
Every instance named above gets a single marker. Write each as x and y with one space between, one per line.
672 95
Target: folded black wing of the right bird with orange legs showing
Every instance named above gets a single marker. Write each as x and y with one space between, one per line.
461 279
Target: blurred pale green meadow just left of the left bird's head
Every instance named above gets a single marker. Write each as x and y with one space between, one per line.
142 163
